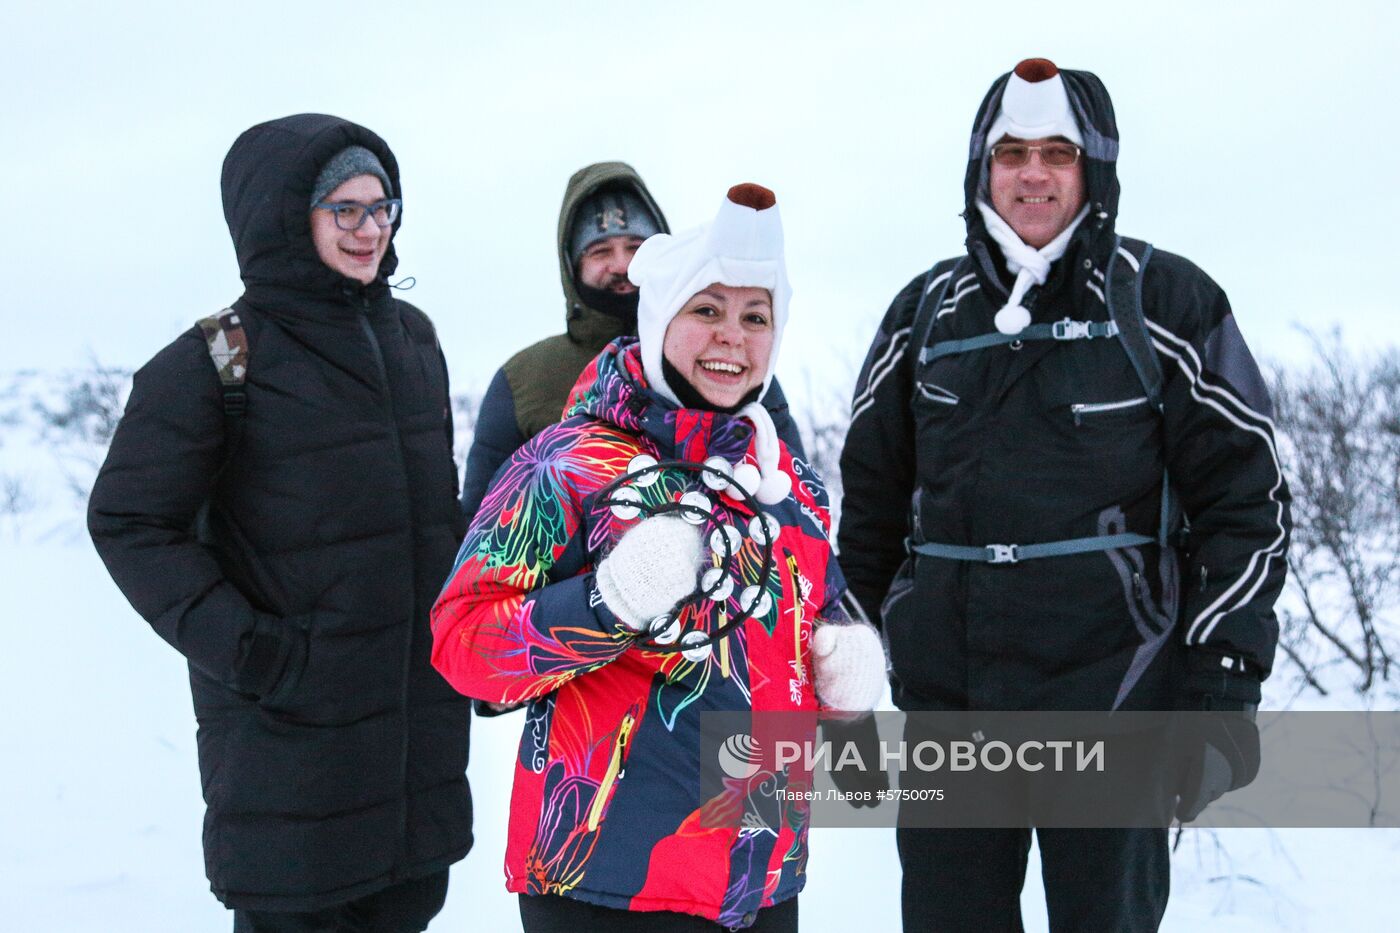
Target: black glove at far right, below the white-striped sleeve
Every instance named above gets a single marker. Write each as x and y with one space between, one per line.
1220 745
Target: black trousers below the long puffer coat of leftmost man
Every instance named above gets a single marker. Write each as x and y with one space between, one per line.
404 908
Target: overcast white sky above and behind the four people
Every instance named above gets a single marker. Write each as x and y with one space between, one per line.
1259 139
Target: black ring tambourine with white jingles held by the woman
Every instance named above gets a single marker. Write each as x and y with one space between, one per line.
664 634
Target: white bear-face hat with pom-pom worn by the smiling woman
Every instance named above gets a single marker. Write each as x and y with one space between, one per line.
743 247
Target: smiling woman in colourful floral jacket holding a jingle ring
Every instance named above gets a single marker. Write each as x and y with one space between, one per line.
577 592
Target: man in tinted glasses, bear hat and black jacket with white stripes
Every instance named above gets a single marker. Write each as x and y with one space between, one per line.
999 408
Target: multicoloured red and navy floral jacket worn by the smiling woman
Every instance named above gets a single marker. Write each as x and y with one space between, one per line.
607 799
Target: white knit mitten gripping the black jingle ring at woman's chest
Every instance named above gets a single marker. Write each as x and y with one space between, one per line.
652 568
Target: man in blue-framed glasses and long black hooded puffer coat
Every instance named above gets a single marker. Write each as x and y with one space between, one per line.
285 520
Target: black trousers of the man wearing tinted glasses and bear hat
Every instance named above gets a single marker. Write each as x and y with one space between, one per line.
964 858
